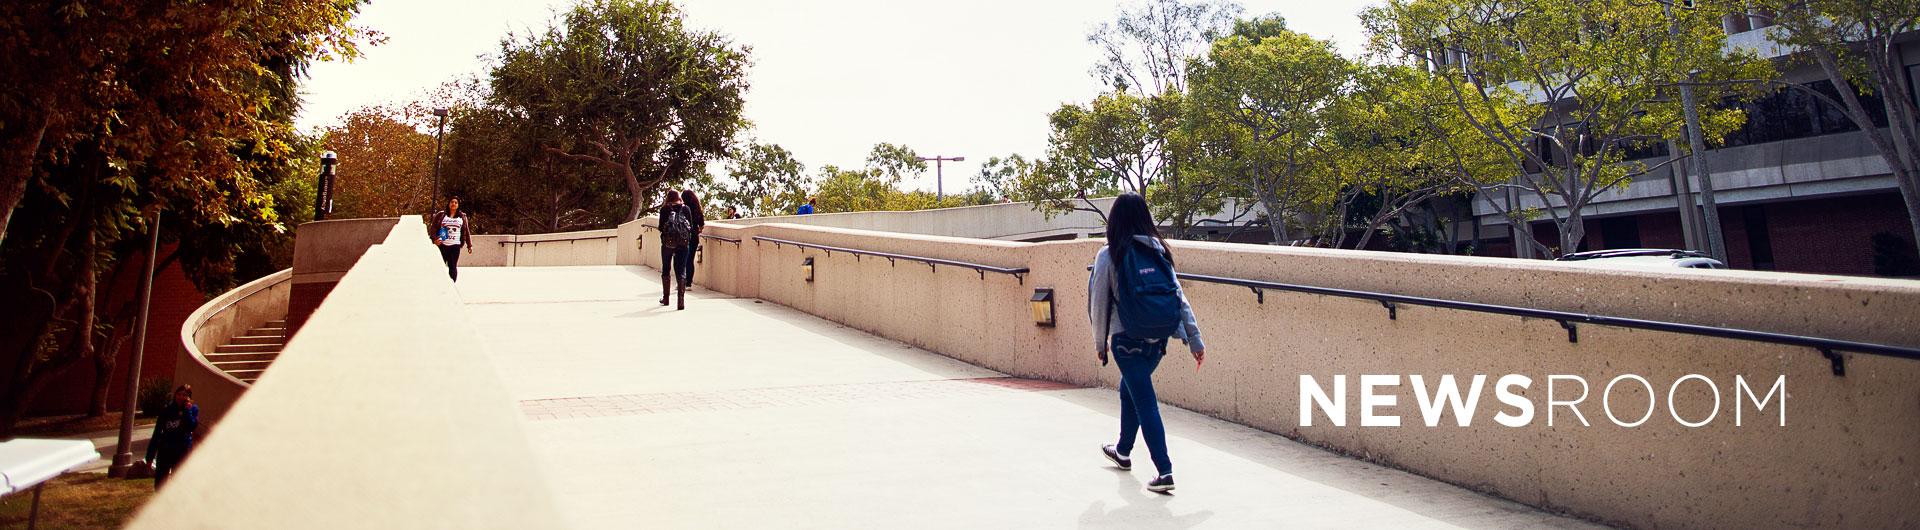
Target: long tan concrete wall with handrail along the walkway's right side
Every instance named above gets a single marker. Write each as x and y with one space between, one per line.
1842 460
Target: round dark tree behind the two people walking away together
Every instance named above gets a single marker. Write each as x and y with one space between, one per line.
631 89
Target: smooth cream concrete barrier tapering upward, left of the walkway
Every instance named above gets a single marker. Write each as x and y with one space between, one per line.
383 414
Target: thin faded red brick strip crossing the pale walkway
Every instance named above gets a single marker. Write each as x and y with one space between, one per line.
784 397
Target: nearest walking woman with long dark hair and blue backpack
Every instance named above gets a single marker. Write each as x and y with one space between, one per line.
1138 304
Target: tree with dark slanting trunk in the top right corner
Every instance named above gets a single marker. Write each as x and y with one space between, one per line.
1858 45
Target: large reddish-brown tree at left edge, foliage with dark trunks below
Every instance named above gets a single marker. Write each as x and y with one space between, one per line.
116 110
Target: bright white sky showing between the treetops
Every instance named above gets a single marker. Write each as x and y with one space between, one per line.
830 80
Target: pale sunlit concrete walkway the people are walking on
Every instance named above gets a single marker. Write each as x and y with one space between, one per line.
740 414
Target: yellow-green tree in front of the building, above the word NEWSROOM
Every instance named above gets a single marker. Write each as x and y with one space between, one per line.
1566 89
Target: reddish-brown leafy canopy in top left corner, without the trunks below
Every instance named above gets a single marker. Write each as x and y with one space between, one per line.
147 84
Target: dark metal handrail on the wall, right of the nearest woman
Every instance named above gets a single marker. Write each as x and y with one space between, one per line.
1827 347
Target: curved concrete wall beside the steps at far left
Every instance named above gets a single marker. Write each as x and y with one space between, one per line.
212 325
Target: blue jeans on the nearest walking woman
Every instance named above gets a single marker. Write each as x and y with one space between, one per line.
1140 408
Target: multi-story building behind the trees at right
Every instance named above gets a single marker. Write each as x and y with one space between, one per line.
1798 189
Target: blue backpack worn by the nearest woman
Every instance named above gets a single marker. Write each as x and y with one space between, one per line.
1149 299
